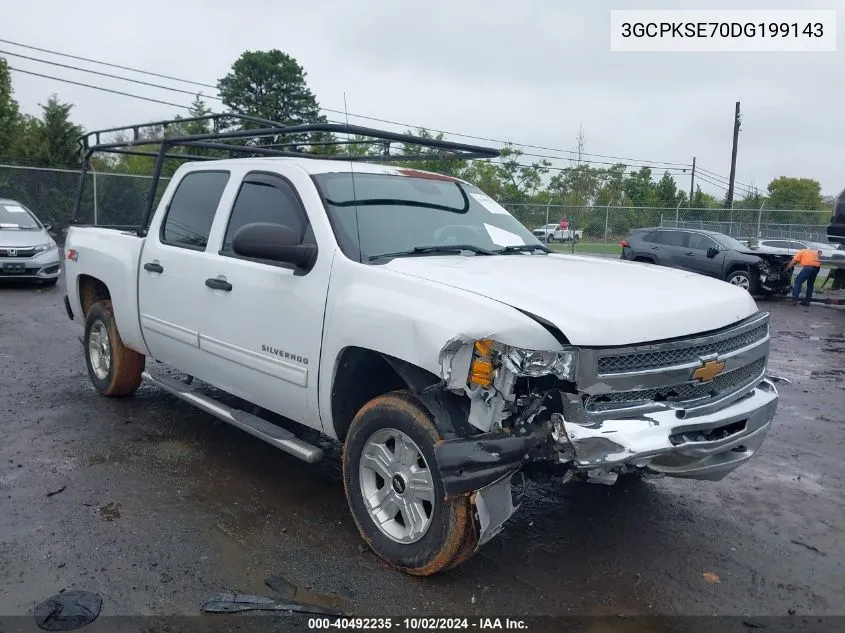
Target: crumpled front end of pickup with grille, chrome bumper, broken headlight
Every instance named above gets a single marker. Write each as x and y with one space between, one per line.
695 407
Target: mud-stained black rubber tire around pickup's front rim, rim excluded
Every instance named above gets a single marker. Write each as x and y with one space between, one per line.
451 536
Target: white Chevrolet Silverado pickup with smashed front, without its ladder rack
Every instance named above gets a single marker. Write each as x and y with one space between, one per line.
406 315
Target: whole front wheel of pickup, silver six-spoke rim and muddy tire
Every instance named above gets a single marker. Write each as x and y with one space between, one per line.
395 492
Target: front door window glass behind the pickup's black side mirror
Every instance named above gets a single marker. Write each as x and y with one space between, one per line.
264 198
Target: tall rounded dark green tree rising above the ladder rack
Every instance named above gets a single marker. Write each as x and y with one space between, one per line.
270 85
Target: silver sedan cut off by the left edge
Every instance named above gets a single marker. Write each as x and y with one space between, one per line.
27 251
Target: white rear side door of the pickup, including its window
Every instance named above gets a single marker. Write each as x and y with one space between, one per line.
173 269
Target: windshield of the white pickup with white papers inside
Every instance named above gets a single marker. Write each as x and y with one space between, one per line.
381 214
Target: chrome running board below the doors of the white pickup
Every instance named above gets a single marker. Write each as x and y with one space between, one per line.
252 424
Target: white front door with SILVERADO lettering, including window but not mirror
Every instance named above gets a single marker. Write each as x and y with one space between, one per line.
264 320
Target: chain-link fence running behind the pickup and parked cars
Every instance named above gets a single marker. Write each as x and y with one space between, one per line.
120 199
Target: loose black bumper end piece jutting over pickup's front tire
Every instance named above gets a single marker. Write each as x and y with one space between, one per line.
469 464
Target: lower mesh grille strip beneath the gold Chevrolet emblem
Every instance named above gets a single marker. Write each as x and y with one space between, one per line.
719 386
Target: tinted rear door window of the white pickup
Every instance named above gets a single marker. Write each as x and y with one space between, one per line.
191 211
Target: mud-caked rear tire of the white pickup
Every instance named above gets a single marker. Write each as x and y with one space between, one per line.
124 365
